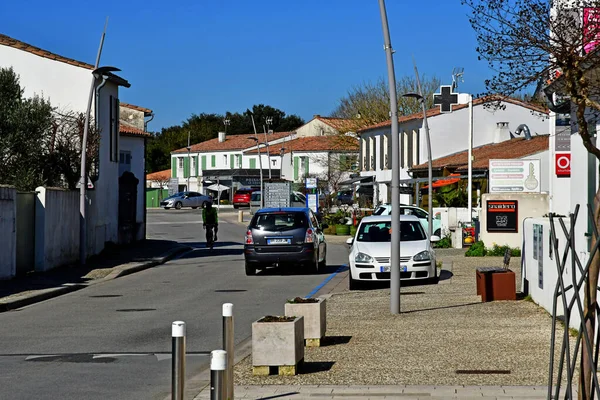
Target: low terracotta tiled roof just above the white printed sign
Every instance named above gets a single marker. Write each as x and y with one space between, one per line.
510 149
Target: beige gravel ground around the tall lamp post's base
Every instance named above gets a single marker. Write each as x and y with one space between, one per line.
442 328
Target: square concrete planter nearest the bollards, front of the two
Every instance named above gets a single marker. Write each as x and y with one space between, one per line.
277 344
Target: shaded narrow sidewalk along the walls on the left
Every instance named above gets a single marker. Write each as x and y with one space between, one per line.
110 264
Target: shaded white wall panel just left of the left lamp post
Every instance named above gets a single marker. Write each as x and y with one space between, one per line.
57 228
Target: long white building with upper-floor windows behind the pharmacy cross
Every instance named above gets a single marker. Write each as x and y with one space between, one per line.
449 134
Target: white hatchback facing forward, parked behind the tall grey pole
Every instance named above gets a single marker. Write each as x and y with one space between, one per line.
370 251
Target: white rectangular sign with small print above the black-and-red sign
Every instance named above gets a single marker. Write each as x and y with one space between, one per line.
521 176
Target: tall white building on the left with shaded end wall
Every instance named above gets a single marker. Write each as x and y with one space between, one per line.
65 83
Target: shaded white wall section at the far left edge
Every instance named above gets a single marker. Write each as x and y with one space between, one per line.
8 232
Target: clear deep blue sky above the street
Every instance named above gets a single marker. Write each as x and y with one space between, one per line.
301 56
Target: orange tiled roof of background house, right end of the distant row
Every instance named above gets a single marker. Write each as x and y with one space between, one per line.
314 143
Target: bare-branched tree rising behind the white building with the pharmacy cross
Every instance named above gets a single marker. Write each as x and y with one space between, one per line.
370 102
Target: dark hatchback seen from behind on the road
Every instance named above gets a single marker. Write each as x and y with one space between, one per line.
284 236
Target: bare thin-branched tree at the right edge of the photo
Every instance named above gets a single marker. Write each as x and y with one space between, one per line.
528 43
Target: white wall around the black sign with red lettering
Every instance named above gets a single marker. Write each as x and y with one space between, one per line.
532 205
